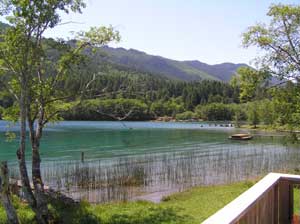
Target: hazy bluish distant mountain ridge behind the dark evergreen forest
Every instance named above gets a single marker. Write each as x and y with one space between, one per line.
180 70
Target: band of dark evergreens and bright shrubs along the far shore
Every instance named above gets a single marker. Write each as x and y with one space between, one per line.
148 95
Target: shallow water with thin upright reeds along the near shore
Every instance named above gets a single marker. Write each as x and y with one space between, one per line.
125 178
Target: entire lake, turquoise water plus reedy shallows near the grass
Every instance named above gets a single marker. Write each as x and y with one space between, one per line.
126 160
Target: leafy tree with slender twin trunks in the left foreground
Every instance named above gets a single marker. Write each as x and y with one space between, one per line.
36 78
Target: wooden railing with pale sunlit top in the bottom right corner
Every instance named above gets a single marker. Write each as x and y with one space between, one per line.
268 201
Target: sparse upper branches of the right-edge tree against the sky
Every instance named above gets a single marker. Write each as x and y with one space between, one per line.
279 41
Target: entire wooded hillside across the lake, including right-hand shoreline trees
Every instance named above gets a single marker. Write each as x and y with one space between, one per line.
132 85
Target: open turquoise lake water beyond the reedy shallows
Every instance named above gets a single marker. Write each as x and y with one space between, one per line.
66 140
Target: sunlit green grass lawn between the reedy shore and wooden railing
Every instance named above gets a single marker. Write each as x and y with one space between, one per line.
189 207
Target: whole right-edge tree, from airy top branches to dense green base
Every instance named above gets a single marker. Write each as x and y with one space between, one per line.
279 41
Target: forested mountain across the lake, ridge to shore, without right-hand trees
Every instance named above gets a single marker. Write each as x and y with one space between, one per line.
132 82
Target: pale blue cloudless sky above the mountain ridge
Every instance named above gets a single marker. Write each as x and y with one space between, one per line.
205 30
